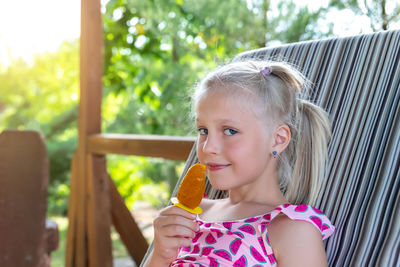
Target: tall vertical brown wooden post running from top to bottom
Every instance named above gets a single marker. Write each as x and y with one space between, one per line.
91 73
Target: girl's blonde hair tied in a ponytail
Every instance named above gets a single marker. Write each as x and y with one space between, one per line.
282 94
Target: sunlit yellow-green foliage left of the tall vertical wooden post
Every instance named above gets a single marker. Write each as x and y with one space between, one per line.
43 96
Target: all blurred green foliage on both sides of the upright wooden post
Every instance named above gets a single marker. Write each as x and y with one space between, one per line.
155 52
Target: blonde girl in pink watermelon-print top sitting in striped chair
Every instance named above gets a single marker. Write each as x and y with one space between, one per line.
266 146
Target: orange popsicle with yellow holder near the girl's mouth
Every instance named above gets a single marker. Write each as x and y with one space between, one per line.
191 189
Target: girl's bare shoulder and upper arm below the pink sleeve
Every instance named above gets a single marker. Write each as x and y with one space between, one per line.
296 243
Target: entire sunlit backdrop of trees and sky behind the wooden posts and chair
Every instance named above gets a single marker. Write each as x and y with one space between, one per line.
144 81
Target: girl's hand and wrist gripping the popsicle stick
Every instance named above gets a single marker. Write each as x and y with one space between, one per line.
173 228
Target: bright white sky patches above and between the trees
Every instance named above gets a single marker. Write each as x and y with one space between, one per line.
29 27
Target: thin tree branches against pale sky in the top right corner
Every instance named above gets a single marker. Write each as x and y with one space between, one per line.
382 13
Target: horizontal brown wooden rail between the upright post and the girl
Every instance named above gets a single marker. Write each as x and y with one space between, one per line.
168 147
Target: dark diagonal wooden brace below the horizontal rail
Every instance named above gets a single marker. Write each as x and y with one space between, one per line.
126 226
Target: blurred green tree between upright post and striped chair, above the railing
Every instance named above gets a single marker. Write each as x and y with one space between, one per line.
156 50
